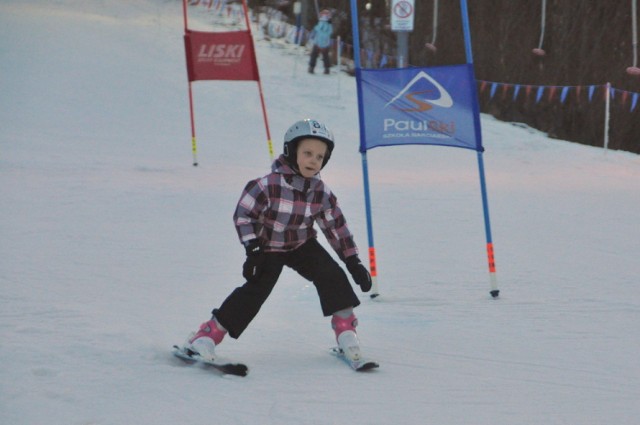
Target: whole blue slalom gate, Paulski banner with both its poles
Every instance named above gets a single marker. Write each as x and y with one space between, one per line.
424 106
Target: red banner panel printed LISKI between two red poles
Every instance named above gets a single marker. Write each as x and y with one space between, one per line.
220 56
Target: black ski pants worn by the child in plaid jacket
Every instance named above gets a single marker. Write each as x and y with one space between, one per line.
312 262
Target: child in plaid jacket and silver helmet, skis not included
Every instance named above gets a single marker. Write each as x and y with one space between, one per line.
274 220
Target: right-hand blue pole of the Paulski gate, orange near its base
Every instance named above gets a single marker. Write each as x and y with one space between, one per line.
493 280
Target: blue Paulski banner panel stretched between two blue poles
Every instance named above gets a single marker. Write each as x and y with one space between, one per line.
419 106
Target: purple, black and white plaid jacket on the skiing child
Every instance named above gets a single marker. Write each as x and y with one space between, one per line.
280 208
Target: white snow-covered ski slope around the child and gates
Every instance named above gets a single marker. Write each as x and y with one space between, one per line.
113 247
